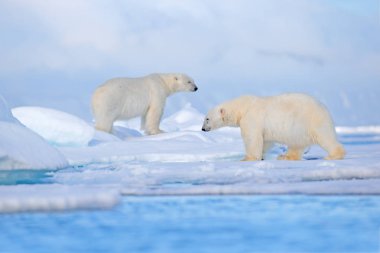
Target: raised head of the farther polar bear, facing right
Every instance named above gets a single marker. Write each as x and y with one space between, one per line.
179 82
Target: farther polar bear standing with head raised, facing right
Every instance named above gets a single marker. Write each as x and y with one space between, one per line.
126 98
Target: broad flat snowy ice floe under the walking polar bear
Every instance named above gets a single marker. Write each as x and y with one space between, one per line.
186 161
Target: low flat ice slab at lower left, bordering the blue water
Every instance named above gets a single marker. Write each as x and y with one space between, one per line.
23 198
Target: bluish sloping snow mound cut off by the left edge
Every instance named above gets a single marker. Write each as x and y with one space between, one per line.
20 148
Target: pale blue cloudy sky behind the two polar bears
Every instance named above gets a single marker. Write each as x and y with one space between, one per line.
55 53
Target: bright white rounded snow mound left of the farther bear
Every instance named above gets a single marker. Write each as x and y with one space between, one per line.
56 127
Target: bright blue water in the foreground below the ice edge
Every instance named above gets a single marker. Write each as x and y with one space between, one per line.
203 224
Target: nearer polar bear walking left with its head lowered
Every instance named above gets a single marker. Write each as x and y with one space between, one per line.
296 120
